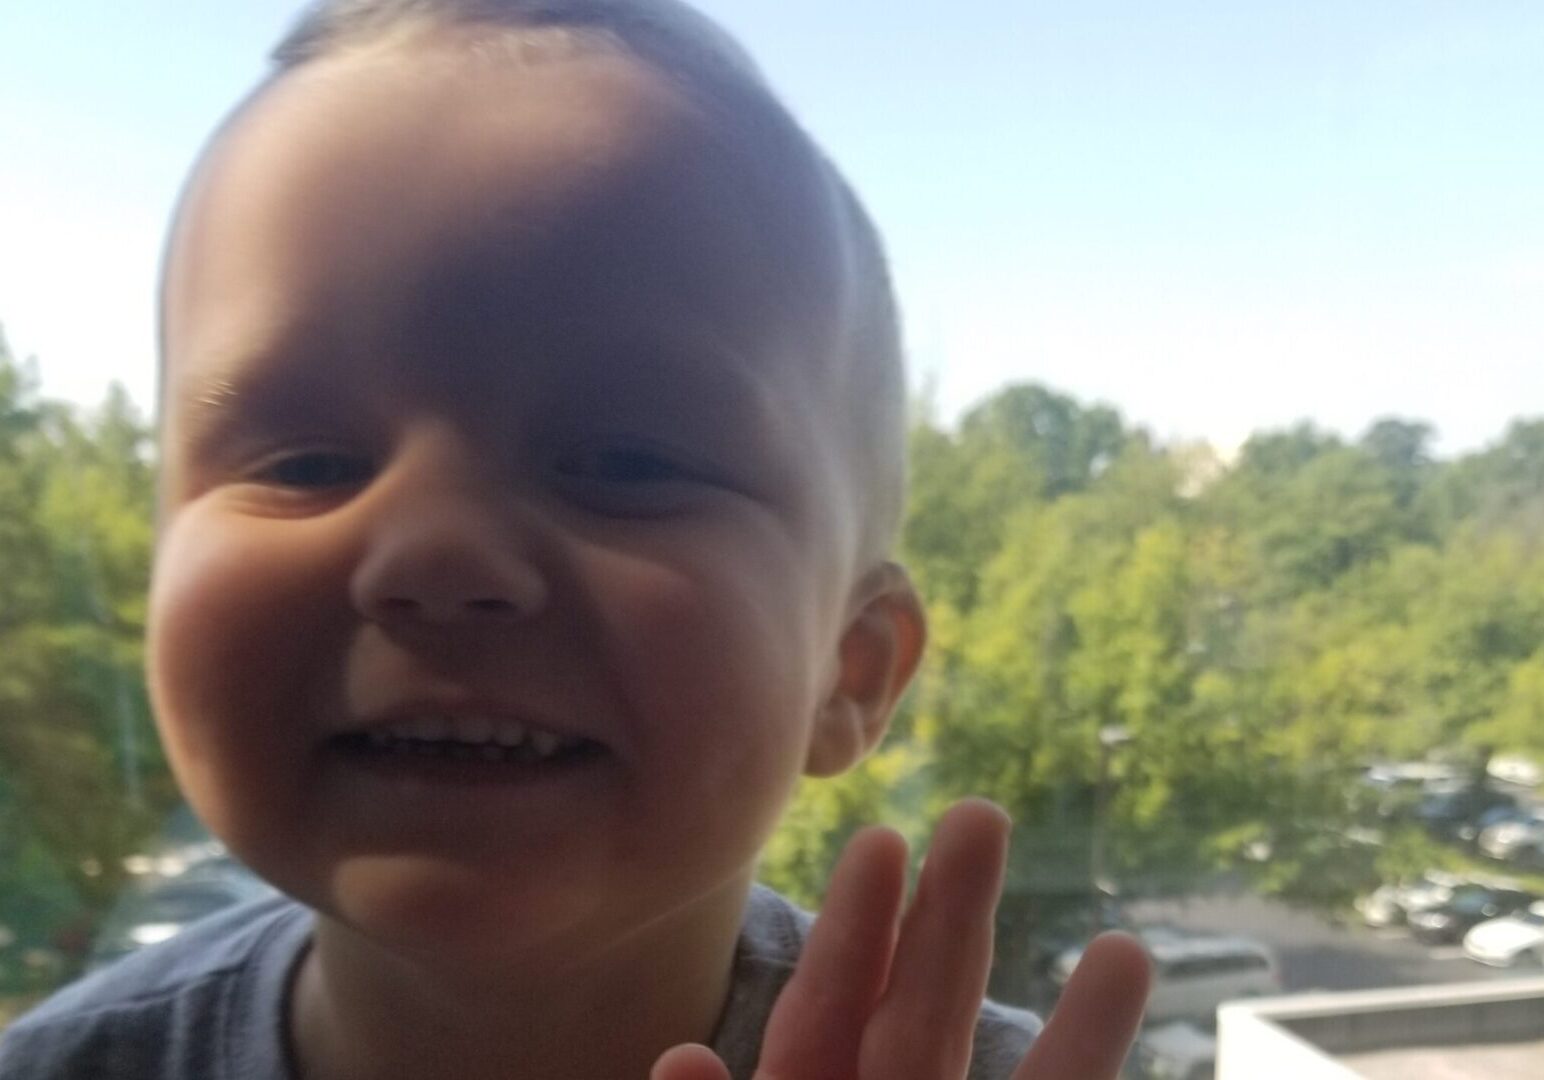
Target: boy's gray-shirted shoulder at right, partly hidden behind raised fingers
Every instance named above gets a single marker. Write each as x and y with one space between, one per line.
771 940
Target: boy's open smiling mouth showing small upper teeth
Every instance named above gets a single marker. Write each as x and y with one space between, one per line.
470 741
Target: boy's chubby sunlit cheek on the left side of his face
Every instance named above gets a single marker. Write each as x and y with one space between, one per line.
239 631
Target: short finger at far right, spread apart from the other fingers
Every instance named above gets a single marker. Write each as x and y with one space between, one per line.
1095 1022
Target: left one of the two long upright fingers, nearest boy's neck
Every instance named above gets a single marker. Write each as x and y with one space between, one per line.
818 1025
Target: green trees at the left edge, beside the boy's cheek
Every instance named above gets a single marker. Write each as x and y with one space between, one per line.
81 773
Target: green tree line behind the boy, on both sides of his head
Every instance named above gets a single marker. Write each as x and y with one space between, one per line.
1134 647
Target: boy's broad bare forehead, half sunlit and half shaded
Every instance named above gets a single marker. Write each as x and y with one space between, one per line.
438 202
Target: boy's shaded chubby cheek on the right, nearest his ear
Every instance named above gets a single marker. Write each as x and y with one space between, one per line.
720 670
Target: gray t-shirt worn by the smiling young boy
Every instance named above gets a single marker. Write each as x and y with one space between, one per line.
209 1005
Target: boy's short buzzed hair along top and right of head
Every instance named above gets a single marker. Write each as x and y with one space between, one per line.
705 63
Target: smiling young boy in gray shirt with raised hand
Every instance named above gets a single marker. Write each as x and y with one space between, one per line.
533 427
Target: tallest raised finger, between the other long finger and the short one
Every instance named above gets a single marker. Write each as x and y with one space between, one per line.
927 1021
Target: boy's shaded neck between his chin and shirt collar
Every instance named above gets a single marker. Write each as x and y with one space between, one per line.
600 1013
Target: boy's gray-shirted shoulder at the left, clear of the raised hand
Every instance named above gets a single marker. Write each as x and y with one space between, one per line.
168 1011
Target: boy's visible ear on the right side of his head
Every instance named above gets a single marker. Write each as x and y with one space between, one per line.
878 656
